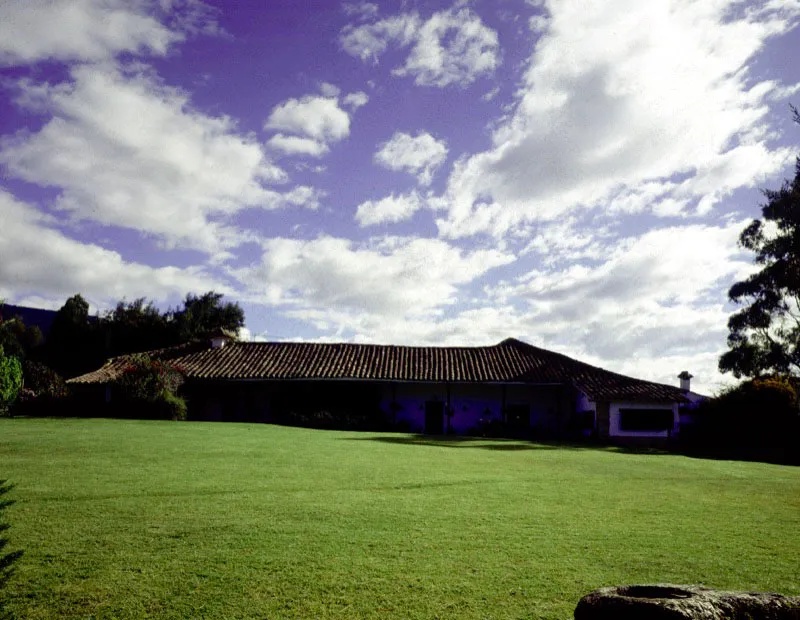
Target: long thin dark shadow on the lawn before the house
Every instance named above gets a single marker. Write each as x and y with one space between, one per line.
491 443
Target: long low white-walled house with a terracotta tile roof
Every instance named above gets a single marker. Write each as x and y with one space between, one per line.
435 390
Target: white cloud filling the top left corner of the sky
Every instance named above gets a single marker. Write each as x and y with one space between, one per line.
92 30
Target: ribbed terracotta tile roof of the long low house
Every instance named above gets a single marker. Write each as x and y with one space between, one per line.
510 361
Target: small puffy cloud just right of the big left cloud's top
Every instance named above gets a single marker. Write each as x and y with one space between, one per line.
315 120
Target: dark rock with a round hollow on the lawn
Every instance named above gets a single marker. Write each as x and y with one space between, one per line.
674 602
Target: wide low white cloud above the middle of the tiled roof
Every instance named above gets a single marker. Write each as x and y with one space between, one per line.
389 277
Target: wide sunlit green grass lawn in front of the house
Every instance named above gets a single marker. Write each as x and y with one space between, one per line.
128 519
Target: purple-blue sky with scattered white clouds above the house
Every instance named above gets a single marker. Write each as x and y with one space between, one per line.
574 174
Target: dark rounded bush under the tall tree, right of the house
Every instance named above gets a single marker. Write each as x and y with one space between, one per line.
758 419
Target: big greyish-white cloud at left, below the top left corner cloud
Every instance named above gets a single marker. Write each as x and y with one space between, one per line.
128 151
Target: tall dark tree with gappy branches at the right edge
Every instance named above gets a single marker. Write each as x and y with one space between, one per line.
764 336
